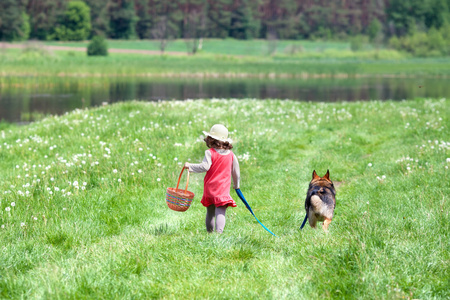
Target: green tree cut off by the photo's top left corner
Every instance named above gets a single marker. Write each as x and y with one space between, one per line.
14 22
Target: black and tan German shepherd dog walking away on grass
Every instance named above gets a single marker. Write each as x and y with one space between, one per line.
320 200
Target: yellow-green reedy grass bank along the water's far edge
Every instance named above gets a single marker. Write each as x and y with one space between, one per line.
308 64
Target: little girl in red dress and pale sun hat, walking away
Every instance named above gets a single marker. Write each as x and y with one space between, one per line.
220 164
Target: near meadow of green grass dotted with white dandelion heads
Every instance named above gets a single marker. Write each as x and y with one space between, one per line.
111 235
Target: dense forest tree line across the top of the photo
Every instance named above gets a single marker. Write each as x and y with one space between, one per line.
239 19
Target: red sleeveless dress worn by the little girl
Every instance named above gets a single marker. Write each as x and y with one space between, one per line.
218 180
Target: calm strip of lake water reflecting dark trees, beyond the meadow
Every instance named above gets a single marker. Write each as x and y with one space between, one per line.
23 103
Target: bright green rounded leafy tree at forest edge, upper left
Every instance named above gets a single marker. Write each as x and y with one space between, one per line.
75 25
